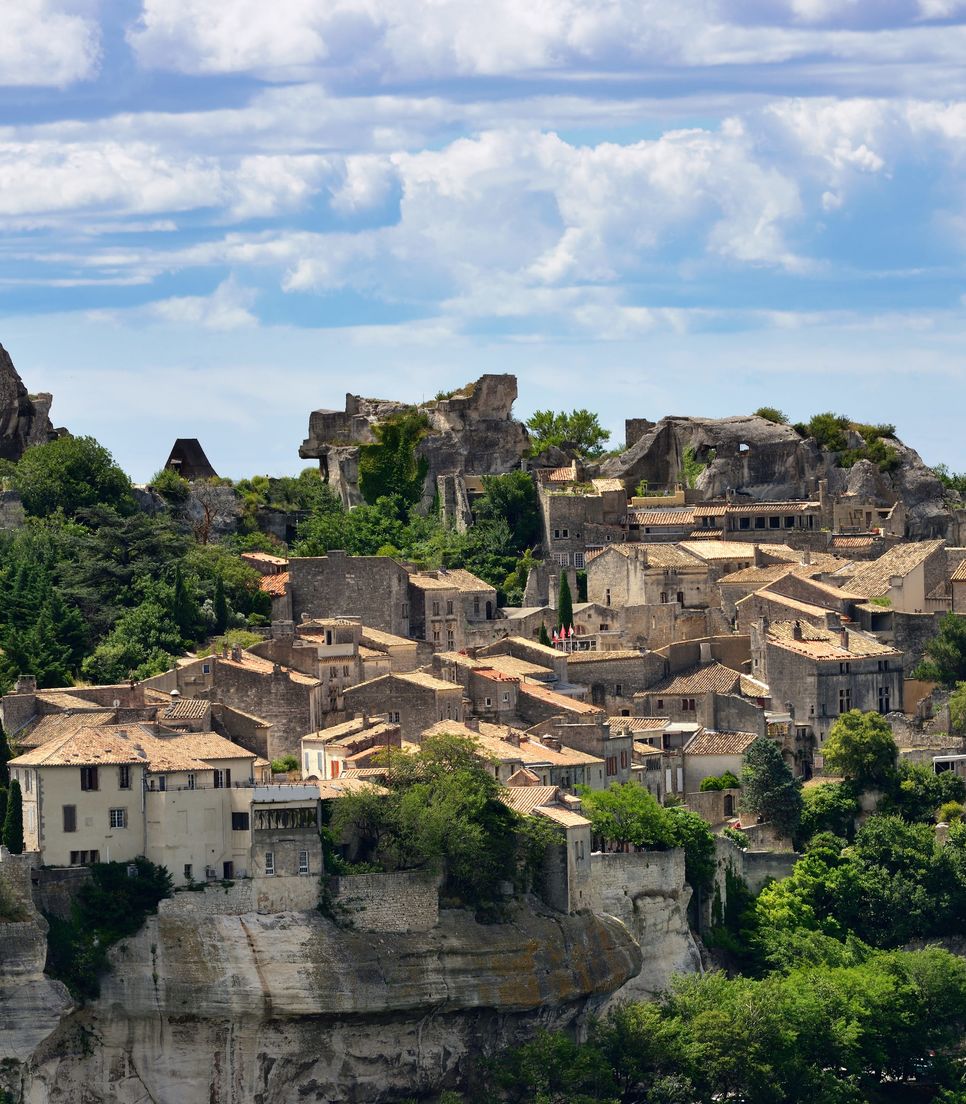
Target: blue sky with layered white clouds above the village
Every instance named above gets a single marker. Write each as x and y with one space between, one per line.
218 217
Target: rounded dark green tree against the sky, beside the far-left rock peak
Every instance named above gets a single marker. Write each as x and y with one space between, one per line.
70 474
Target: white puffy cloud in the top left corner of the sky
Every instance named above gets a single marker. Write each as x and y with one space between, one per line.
43 44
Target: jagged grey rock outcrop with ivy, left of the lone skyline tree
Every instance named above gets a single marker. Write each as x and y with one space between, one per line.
472 431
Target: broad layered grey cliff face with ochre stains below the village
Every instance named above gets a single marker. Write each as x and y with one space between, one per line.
284 1009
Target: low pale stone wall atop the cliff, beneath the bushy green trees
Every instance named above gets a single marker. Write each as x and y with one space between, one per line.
406 901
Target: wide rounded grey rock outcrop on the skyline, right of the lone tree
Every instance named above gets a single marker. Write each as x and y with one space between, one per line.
771 463
